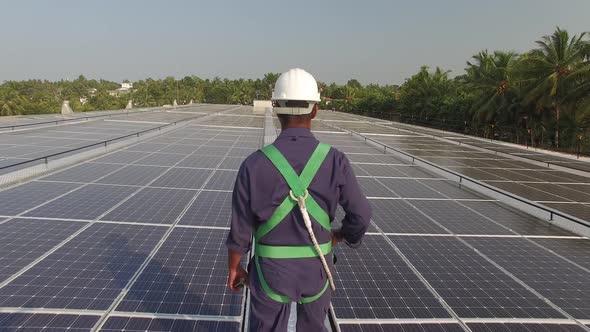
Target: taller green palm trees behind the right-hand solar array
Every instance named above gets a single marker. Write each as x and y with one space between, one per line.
540 97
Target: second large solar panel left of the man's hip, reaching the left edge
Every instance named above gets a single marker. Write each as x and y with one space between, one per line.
88 272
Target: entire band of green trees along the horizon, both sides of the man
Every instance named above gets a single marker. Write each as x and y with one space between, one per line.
540 97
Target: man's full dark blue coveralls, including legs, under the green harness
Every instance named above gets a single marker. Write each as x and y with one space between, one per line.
258 191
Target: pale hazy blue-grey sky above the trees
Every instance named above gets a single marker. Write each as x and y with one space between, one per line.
382 42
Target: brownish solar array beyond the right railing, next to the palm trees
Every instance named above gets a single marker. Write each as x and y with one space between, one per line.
565 191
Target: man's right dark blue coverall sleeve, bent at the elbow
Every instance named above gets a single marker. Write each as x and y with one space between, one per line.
355 205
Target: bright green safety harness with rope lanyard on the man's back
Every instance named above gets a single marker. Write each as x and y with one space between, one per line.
297 196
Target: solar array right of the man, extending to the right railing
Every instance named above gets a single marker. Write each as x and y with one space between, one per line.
440 257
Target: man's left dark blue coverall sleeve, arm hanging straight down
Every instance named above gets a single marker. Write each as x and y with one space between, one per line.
242 219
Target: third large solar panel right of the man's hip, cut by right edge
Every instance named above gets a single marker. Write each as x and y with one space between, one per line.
561 282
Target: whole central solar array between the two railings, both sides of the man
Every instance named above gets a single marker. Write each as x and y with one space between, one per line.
134 241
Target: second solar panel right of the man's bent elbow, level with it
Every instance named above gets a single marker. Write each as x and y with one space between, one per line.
458 219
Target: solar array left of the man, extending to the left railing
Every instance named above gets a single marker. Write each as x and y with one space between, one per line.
132 240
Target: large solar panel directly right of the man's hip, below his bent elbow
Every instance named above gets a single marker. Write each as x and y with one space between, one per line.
374 282
